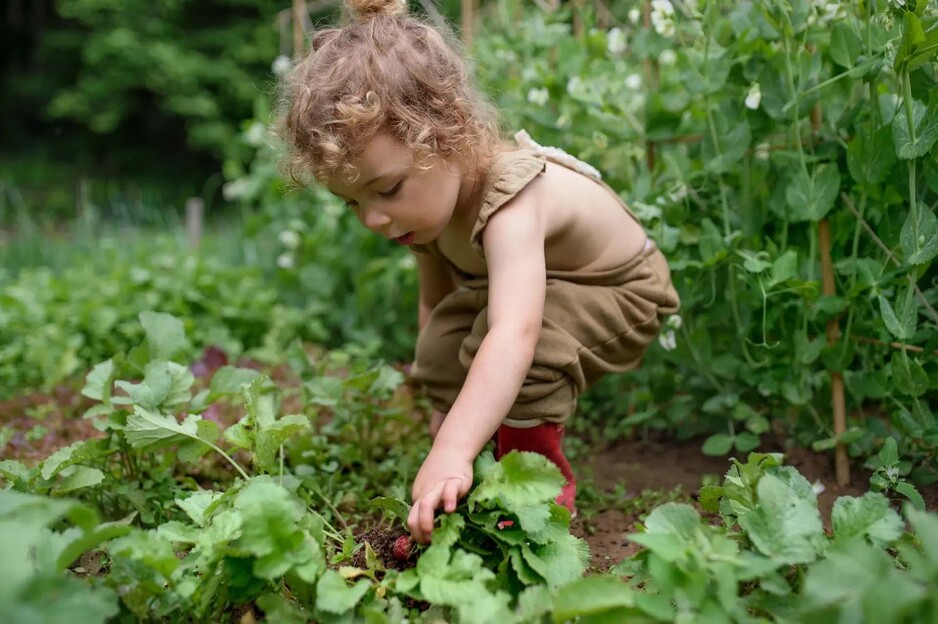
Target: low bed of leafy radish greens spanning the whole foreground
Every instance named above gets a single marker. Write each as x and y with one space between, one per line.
202 518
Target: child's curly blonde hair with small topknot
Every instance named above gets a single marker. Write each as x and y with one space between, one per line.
389 72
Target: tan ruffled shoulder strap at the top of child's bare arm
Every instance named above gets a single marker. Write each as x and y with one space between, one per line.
509 173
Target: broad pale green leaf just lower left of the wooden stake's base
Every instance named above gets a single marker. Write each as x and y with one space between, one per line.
783 526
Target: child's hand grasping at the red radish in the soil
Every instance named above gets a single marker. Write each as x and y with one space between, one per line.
444 478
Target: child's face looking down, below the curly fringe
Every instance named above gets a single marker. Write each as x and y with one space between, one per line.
394 199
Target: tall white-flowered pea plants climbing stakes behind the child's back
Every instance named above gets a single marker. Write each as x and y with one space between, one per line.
782 154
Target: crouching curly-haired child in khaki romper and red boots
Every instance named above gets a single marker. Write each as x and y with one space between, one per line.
535 278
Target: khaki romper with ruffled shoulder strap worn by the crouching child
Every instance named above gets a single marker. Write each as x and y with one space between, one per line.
594 322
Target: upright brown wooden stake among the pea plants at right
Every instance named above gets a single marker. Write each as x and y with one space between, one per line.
829 288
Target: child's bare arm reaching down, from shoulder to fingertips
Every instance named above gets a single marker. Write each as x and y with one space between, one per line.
514 248
